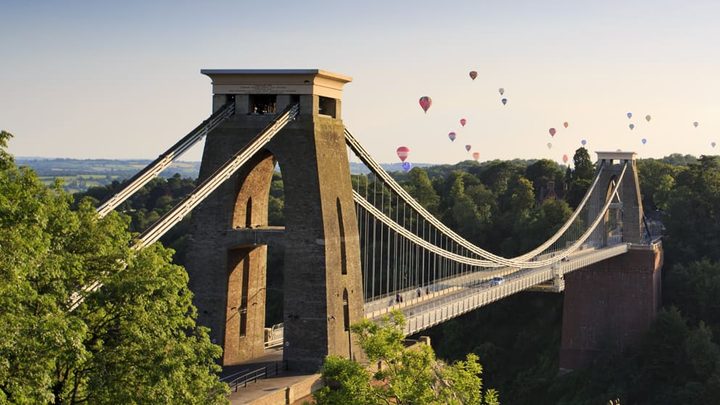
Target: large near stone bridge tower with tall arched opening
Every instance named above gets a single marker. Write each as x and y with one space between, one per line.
322 274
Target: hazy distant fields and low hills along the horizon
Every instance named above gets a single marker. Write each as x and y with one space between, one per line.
80 174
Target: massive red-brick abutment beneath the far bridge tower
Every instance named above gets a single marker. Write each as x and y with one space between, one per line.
609 305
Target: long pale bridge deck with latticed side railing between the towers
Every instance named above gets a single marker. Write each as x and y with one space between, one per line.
450 298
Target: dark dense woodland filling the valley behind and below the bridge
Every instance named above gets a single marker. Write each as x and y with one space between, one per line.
509 207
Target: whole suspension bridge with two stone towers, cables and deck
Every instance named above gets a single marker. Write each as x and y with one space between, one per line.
360 247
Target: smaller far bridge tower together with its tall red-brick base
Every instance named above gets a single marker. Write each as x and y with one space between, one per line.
610 304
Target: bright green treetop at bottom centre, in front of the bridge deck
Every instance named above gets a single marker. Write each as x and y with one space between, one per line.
408 375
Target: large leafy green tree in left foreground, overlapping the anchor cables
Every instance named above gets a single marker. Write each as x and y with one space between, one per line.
133 341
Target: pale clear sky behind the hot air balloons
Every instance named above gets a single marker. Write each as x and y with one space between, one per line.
96 79
